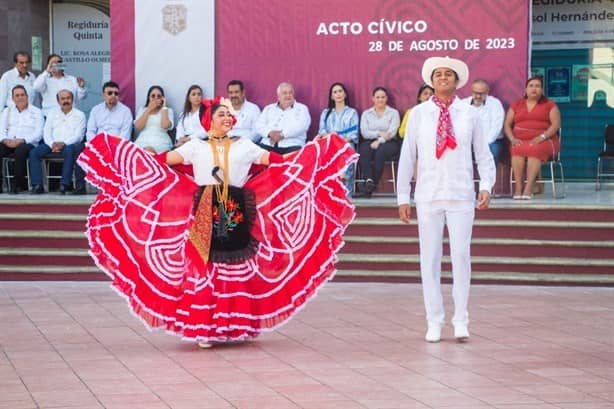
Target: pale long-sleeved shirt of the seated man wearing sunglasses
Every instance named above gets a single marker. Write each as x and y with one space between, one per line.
116 121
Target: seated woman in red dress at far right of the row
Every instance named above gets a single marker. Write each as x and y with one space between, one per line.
532 125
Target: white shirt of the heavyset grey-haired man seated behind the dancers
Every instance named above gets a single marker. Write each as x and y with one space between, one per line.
293 122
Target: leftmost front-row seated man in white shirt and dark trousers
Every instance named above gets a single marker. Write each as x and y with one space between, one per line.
21 128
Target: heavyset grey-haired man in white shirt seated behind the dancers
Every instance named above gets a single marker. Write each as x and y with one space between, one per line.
283 125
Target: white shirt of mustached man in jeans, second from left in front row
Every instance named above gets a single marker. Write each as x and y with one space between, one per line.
68 128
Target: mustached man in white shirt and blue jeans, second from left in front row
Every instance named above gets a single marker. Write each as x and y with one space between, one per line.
63 130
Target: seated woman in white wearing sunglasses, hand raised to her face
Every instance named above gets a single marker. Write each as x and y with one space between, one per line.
153 122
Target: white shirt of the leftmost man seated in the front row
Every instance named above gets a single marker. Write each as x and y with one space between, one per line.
27 124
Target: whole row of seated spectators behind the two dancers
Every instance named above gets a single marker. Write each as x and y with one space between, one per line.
29 134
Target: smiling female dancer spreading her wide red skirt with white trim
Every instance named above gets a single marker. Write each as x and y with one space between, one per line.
217 257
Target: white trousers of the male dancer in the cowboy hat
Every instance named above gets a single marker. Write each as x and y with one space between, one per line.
458 215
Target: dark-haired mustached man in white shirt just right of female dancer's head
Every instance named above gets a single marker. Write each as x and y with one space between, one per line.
247 113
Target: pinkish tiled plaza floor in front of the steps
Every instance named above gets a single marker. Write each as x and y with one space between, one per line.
75 345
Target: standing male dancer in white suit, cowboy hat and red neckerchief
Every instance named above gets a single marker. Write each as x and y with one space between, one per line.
441 135
